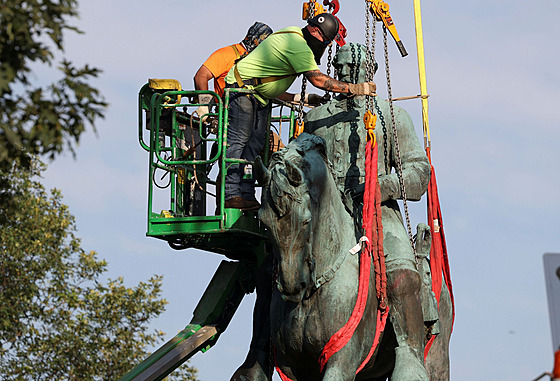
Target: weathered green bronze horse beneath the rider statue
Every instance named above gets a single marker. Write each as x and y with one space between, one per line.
316 275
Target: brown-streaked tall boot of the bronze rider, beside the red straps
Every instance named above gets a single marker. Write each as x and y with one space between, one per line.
408 323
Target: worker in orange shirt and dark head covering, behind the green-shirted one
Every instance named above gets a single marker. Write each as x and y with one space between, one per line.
218 64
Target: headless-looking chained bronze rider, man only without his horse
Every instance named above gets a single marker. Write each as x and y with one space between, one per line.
340 123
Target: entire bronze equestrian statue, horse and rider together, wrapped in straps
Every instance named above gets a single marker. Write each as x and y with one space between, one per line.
312 211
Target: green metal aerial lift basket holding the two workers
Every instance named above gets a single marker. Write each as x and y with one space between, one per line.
187 162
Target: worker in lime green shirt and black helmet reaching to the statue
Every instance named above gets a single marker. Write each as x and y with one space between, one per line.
270 70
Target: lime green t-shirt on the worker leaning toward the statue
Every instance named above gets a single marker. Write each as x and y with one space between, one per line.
279 54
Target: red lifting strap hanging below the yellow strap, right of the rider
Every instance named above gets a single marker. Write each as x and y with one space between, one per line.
439 261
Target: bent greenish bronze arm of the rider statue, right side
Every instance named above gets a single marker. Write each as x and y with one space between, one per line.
415 164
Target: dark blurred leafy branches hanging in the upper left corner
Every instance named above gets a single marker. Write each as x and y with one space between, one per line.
41 119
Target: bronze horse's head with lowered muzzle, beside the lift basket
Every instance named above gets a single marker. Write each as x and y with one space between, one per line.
294 186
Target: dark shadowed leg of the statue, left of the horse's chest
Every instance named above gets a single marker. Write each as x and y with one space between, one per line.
258 365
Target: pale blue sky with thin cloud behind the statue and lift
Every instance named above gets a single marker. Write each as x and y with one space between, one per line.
494 115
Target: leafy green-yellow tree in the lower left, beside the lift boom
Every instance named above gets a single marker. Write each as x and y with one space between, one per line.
58 320
